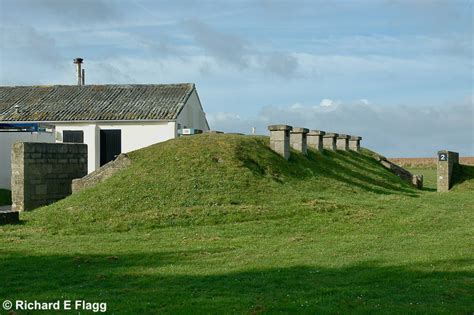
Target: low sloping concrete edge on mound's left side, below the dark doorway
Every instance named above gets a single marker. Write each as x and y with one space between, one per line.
101 174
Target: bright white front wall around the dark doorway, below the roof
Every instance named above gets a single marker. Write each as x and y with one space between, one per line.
135 135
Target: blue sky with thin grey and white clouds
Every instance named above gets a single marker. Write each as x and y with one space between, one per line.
399 73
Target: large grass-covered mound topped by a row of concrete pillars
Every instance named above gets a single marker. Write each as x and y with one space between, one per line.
210 179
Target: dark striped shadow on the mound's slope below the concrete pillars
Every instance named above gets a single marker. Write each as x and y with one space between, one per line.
351 168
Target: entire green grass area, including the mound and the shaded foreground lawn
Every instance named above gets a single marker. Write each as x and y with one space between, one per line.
221 224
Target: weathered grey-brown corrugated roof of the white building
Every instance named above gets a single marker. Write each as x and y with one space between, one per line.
93 102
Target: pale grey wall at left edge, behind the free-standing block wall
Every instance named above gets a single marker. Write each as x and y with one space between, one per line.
7 139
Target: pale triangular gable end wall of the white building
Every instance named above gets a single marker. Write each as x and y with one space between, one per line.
192 115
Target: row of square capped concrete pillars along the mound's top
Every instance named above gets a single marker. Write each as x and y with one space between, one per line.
282 137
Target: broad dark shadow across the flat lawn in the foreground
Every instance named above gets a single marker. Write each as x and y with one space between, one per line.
159 282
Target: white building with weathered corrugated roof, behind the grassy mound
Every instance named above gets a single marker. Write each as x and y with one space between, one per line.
110 119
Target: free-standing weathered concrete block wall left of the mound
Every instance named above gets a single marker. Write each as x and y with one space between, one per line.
42 173
